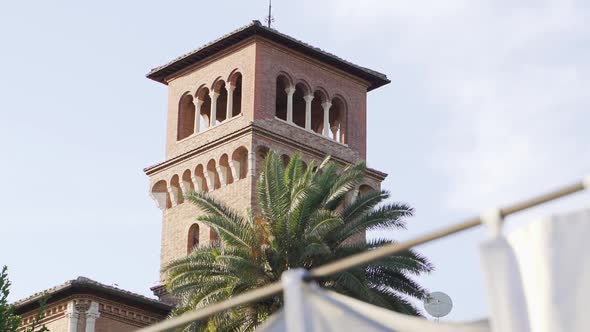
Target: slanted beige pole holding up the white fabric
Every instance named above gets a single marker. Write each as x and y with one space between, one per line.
360 259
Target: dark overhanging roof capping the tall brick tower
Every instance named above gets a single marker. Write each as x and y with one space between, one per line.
255 28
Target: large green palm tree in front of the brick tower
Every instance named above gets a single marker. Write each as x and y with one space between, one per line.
302 219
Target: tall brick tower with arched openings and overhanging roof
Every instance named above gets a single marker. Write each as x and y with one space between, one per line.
233 100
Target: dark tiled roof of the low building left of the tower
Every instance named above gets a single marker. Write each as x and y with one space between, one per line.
83 285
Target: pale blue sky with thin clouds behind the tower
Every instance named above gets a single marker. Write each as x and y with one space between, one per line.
488 104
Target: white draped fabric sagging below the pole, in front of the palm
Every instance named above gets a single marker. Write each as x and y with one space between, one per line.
327 311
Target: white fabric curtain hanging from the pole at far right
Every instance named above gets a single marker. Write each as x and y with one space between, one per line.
546 266
